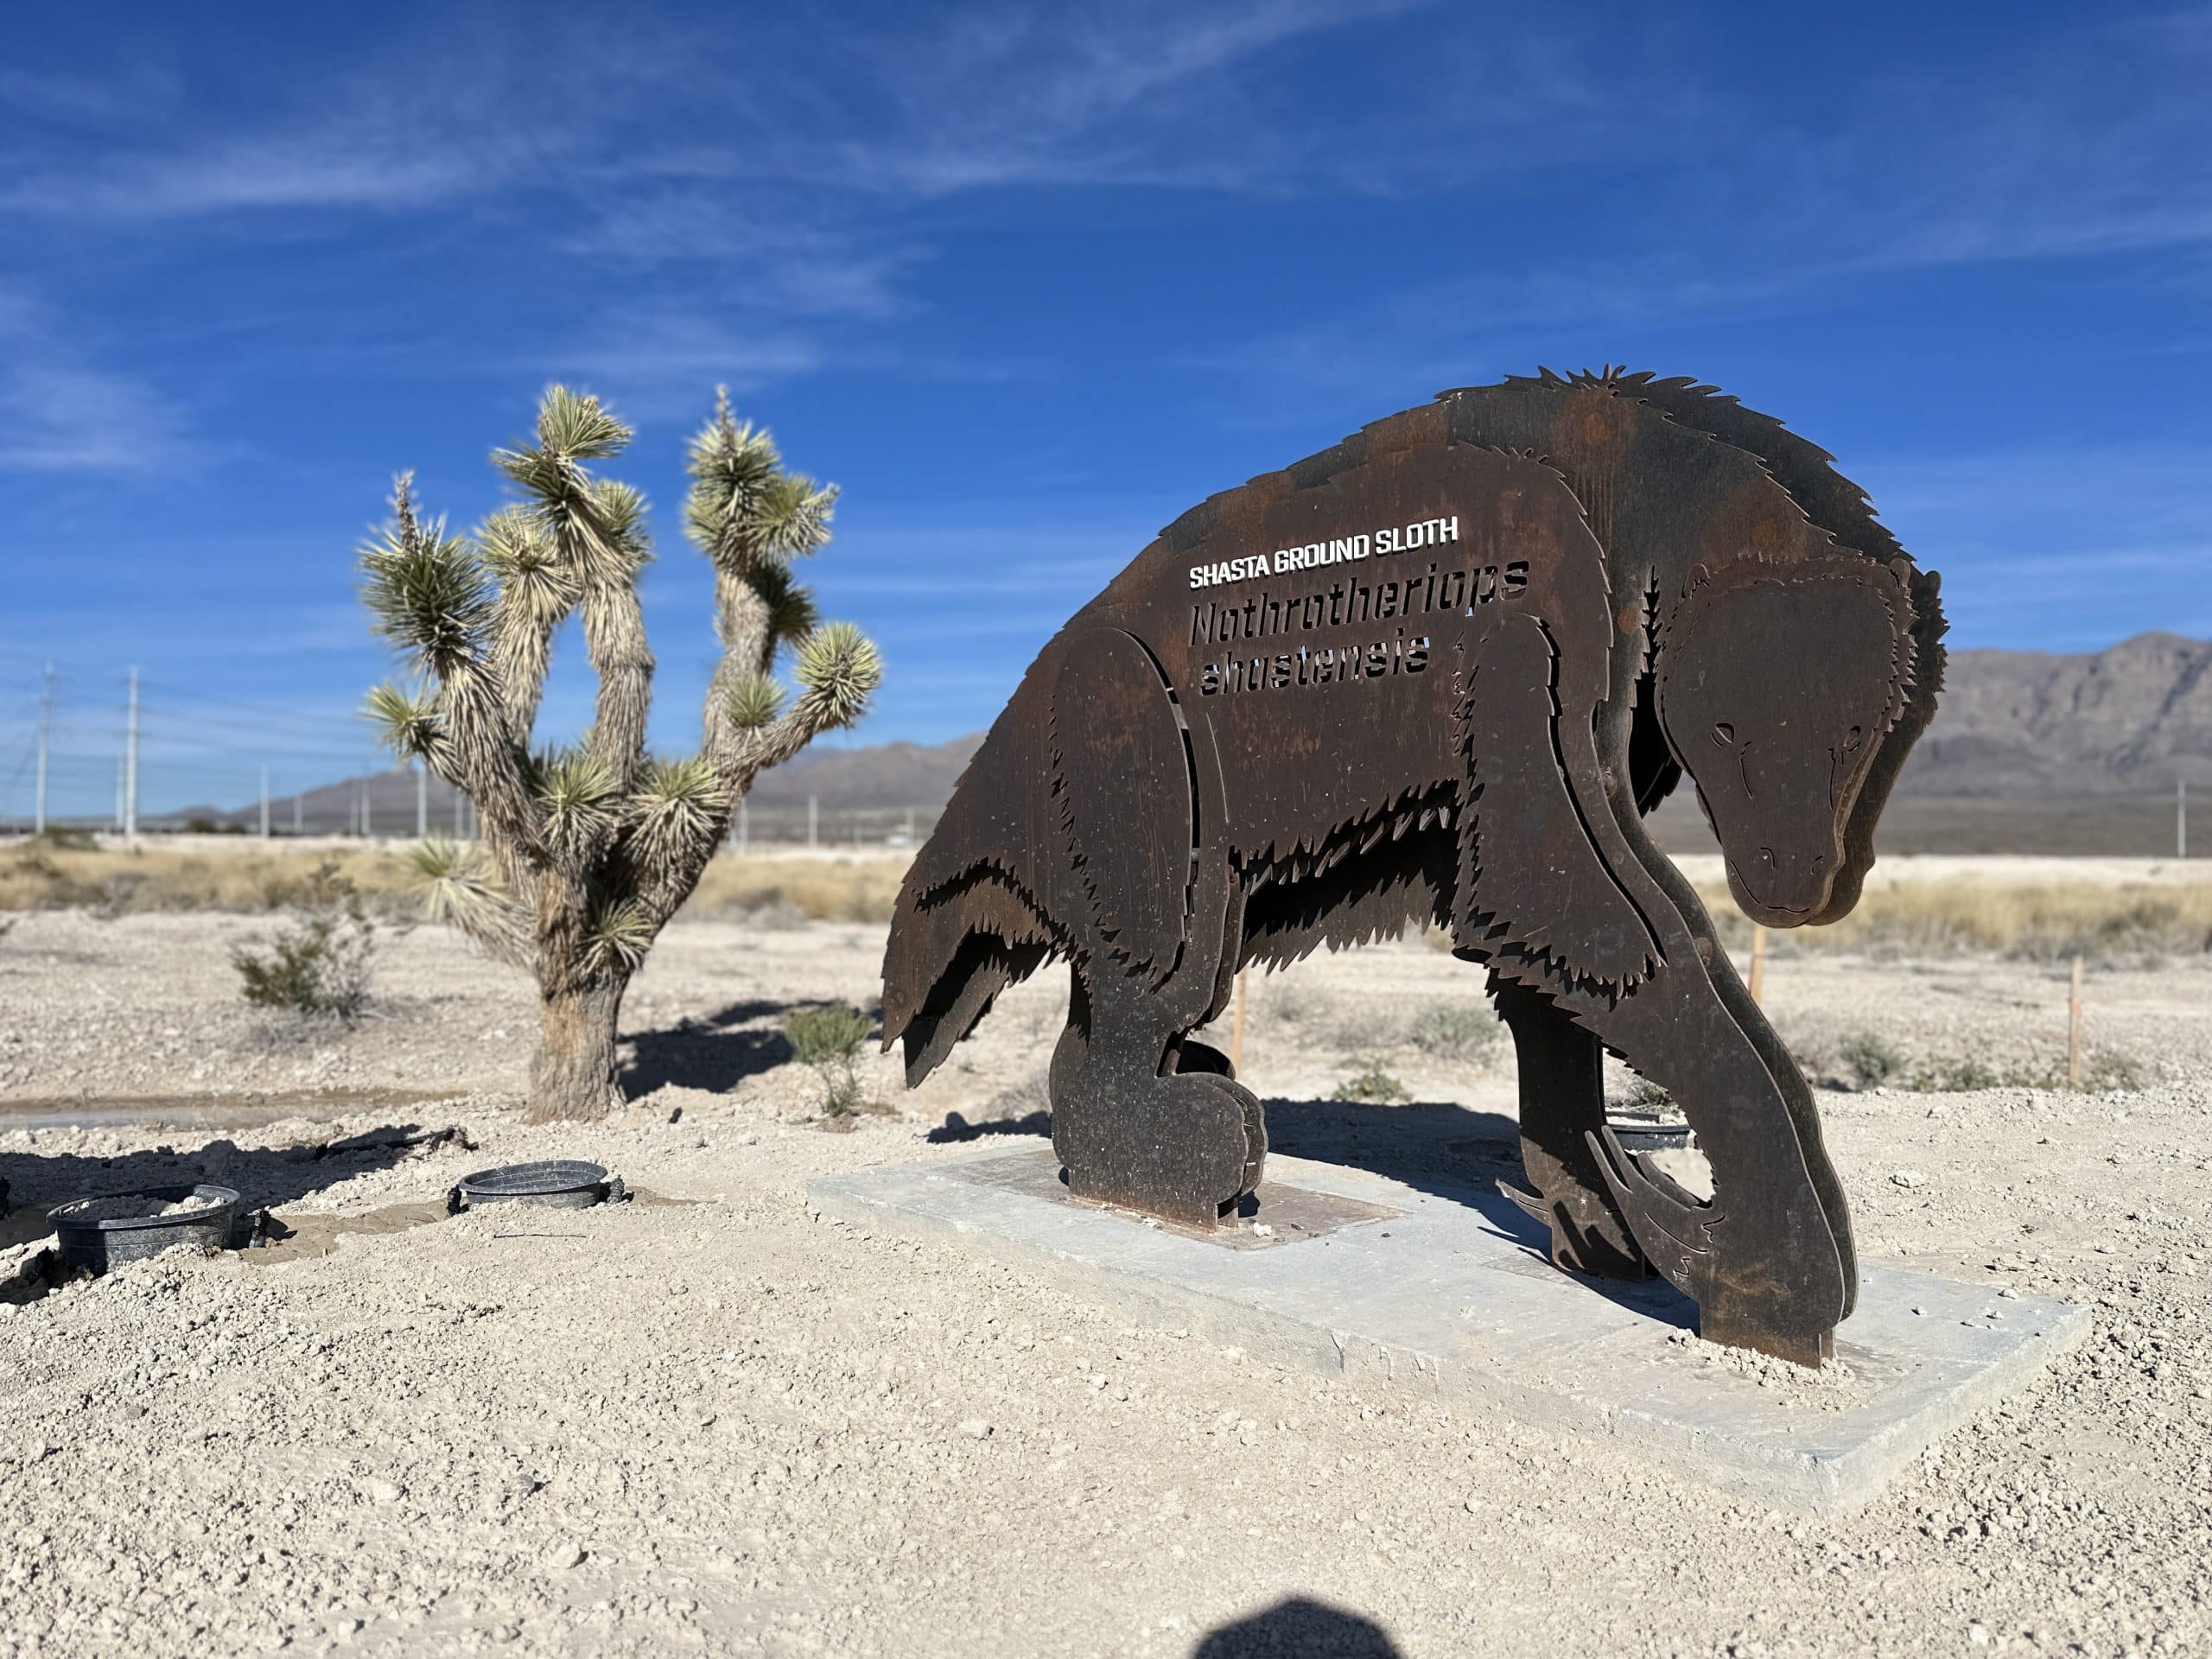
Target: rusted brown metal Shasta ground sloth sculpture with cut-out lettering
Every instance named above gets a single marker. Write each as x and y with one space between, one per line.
1441 674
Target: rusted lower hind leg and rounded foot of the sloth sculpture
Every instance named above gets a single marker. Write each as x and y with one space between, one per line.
1142 1118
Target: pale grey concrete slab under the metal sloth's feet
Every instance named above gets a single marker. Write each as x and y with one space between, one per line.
1448 1291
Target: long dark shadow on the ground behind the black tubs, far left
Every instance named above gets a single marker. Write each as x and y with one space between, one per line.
267 1178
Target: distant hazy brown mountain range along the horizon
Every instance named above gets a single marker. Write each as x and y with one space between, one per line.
2060 742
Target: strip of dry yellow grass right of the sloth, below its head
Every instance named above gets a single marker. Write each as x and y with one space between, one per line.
2041 924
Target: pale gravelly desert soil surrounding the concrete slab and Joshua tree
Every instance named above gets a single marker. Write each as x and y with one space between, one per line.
722 1426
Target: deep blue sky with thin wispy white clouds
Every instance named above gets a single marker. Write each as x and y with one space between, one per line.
1030 282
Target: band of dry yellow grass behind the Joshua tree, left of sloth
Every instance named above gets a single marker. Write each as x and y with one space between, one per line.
125 884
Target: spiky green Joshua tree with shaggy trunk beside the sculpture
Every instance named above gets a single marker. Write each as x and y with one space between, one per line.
589 851
